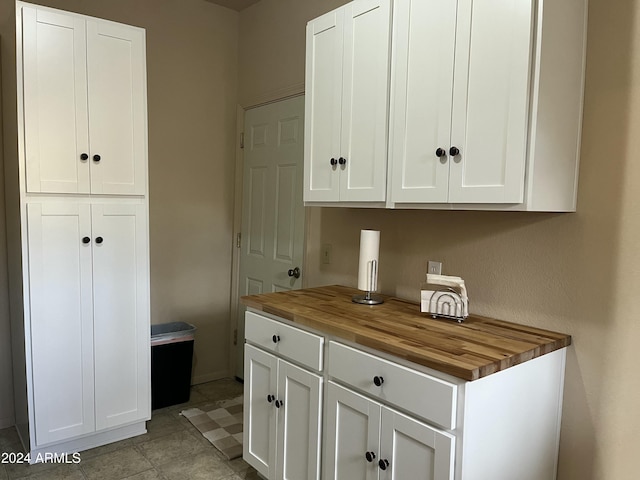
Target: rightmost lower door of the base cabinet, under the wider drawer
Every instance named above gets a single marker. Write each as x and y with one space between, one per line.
414 450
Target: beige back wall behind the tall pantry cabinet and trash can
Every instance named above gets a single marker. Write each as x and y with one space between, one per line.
192 51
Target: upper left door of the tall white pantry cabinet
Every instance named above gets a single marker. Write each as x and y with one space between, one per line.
54 101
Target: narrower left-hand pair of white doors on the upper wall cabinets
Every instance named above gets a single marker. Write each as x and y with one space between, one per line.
346 109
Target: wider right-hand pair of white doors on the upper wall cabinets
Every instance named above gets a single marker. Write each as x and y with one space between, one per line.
480 112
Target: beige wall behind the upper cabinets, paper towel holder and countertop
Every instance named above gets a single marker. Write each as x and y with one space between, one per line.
576 273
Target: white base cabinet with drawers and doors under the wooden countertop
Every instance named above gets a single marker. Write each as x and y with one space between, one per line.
386 418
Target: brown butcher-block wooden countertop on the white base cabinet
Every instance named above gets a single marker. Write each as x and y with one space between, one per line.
470 350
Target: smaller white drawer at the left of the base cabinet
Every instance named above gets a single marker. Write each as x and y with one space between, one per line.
285 340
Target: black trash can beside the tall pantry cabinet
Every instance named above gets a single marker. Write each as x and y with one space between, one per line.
171 361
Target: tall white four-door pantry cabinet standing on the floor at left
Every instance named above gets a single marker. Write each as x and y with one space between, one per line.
79 210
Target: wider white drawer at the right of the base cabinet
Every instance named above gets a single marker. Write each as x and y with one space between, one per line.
418 393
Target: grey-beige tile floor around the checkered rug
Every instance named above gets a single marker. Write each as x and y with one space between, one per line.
172 449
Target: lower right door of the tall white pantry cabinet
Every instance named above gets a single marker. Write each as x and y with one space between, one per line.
121 314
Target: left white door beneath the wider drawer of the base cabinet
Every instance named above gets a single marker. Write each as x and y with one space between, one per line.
352 431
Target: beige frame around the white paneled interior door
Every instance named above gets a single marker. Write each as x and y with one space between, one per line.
235 342
